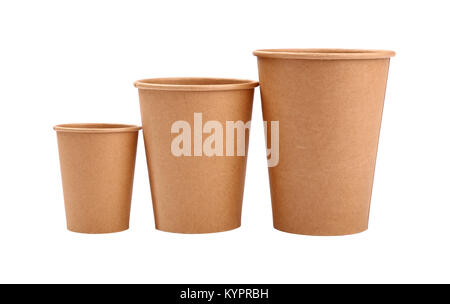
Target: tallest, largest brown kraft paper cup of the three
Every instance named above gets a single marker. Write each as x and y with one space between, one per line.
329 105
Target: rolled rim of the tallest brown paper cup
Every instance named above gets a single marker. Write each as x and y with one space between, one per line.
324 54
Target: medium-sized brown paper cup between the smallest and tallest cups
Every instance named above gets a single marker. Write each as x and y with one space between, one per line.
194 194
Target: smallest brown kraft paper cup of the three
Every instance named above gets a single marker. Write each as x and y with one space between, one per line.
97 169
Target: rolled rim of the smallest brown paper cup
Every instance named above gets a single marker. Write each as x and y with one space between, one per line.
96 128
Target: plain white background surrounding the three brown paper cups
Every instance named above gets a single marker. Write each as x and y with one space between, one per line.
75 61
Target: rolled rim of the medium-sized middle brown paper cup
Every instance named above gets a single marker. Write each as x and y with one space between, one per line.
195 84
